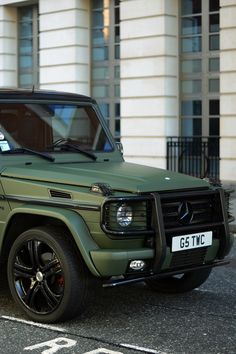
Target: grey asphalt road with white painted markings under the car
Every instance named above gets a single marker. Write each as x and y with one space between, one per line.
133 319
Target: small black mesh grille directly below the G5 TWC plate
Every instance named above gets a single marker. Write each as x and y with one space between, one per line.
188 258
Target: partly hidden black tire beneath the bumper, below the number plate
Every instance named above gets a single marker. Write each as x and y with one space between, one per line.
179 283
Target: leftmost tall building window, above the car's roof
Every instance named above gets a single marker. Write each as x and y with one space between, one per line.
28 38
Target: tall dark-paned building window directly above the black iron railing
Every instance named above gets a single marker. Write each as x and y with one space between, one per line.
199 68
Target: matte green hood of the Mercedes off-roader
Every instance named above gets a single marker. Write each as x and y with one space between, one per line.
120 176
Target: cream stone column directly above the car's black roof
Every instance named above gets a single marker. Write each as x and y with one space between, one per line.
65 45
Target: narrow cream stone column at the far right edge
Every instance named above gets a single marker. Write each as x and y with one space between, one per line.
228 90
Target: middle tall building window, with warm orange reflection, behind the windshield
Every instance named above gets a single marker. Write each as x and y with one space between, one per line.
105 29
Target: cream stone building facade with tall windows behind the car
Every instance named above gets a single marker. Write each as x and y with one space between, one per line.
162 71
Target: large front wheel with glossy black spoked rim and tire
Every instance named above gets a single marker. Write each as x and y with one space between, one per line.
47 277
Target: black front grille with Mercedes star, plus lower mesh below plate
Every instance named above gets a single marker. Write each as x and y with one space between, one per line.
205 214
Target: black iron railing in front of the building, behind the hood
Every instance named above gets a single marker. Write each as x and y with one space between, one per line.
195 156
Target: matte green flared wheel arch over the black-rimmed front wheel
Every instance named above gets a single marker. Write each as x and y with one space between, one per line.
74 223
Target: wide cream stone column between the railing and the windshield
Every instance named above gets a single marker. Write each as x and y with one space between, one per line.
149 79
